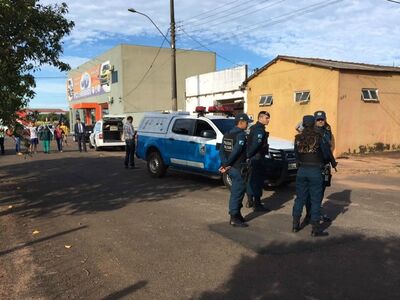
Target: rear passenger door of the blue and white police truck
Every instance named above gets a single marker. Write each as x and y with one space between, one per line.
181 144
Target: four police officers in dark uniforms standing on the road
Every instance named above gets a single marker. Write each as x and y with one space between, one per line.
243 157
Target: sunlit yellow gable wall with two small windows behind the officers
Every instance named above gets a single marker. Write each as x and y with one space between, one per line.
281 80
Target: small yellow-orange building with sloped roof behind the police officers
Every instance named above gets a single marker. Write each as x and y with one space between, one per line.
362 101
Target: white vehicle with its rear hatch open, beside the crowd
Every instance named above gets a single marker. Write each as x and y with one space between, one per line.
107 133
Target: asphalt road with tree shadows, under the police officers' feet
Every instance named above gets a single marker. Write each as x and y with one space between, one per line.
133 237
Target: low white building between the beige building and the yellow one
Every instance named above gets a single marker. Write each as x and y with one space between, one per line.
221 88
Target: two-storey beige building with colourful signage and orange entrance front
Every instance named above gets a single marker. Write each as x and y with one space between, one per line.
131 79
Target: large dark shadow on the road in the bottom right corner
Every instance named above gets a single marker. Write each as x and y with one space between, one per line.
351 266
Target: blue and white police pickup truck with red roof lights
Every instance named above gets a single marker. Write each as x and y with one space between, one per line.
191 143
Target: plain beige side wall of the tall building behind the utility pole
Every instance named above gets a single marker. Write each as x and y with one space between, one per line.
154 92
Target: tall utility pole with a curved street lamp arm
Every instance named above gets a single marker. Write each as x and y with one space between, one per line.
173 51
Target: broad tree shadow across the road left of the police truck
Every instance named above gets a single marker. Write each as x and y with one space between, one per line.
85 185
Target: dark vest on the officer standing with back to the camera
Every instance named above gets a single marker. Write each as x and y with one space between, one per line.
308 148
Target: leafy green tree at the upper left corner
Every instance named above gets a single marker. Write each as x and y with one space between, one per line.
30 37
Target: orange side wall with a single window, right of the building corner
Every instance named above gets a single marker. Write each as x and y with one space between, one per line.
362 123
